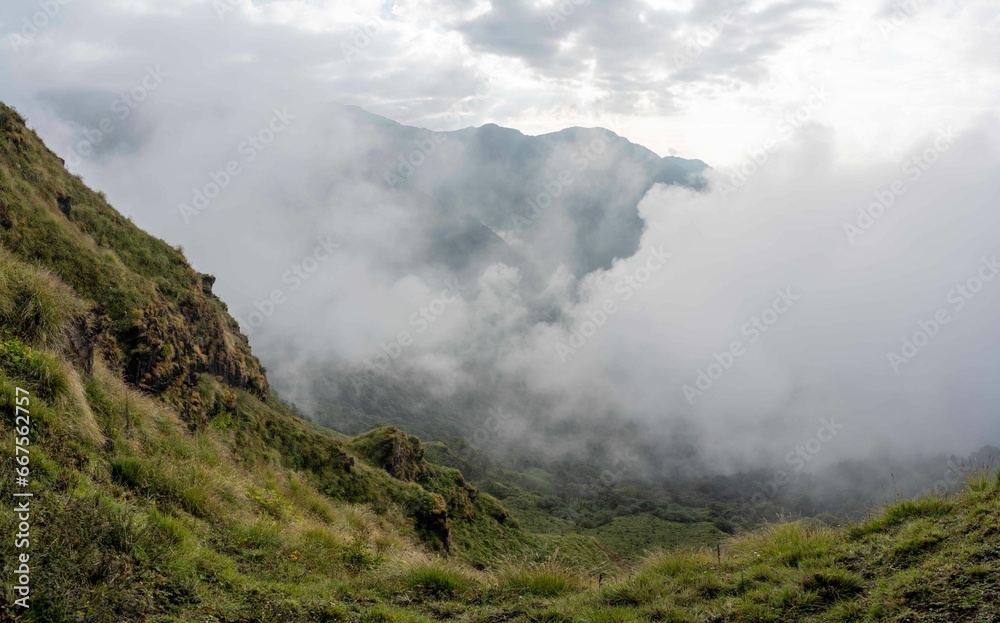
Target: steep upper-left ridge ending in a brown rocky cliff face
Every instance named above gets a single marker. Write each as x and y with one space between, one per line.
162 327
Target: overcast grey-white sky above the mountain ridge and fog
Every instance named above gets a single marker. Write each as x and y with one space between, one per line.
707 80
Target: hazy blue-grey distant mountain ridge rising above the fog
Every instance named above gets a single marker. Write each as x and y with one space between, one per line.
588 181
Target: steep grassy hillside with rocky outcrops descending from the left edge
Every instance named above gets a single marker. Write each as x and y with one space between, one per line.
165 476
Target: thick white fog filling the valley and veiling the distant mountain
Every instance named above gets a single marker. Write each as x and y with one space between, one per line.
705 319
